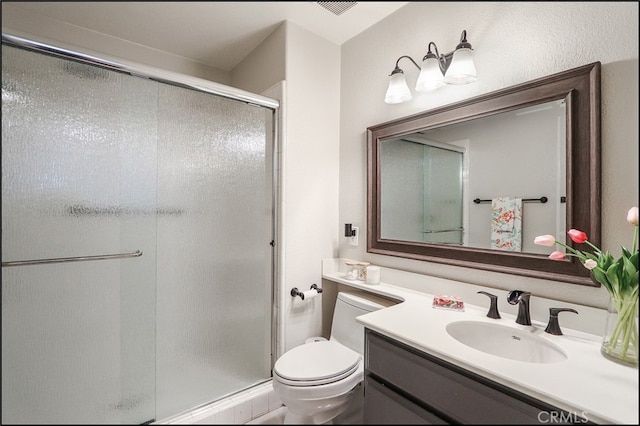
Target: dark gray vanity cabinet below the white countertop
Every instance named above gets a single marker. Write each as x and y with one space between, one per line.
406 386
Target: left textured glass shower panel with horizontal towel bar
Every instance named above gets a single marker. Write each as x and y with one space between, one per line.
78 179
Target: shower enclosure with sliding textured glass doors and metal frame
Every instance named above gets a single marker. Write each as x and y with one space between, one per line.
137 239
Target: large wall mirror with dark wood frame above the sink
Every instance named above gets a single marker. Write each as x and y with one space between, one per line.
440 181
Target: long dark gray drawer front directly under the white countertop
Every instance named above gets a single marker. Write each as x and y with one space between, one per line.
455 394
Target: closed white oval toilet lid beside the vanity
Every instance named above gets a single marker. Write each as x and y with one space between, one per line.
316 363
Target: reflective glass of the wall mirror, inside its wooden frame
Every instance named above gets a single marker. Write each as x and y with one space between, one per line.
481 183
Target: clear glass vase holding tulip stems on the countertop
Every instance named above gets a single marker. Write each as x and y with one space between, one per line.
620 342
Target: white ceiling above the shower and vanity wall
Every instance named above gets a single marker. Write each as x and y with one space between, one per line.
219 34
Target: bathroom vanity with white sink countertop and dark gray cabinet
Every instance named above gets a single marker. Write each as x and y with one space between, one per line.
416 372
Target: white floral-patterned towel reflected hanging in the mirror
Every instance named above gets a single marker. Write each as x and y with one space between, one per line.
506 223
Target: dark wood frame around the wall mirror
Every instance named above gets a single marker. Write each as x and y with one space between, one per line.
580 87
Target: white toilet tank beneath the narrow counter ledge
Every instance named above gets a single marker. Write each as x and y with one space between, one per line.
344 328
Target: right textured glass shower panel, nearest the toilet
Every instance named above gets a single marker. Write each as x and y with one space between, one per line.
214 258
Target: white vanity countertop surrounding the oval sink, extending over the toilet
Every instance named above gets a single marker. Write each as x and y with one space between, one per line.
585 384
